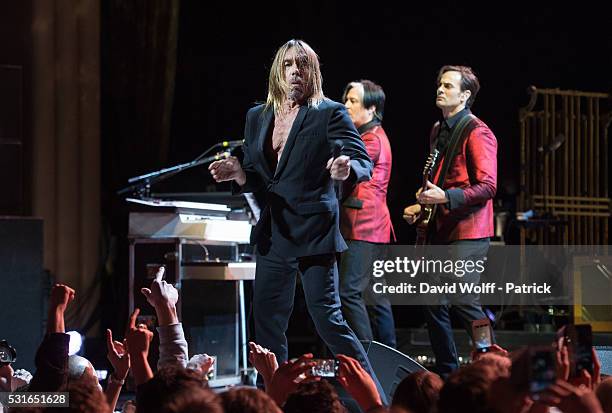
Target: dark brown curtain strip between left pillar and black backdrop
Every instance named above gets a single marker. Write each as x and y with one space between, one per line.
138 48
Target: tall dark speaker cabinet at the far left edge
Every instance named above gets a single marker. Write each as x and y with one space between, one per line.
23 284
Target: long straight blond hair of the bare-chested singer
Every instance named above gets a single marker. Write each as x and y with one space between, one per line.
277 84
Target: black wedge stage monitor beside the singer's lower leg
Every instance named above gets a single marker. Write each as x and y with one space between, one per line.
390 366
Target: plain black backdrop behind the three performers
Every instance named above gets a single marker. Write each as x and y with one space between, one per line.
225 52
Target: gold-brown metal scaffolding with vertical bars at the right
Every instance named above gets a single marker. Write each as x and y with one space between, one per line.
564 165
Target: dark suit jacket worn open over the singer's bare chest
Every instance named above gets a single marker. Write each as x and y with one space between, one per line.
301 217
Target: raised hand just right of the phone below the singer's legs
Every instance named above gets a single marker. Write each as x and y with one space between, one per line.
358 383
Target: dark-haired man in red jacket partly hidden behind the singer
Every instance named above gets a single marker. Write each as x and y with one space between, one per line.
365 222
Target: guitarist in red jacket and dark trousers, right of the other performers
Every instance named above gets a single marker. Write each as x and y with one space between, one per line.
463 196
